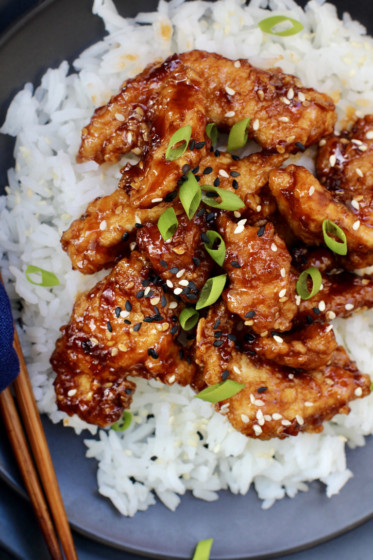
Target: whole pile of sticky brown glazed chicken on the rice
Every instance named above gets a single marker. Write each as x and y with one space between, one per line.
258 330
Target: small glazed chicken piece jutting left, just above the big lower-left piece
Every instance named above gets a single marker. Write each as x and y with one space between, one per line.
100 237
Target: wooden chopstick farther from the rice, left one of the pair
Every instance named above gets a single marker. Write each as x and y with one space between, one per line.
18 441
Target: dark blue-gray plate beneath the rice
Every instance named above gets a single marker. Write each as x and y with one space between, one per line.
241 529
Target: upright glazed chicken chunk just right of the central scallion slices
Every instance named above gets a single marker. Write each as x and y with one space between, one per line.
261 290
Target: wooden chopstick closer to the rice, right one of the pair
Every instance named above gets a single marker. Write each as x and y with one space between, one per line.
38 443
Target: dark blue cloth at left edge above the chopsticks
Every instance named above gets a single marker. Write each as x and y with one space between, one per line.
9 364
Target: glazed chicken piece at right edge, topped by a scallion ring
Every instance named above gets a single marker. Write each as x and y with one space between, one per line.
305 204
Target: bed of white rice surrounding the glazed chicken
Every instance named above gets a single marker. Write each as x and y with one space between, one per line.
165 447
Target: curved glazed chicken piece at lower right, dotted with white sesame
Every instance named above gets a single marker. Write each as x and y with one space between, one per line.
276 401
